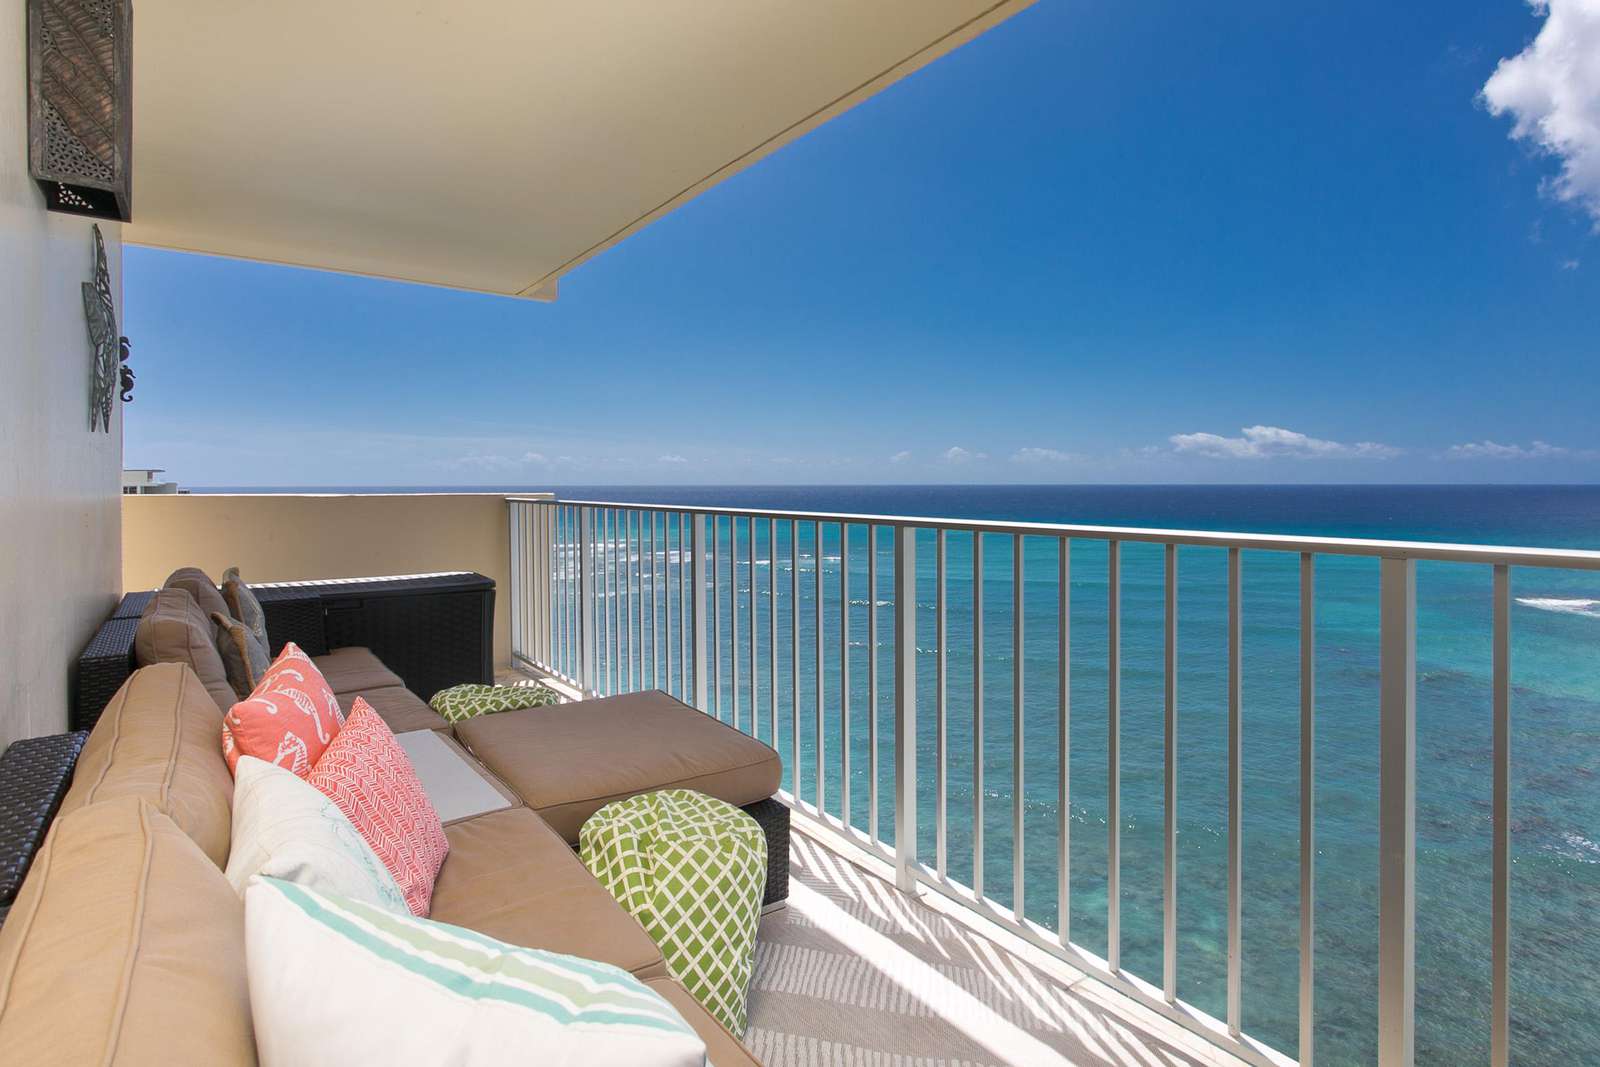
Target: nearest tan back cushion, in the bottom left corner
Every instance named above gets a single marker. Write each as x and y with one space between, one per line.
126 948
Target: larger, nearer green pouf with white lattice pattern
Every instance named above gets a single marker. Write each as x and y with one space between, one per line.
692 871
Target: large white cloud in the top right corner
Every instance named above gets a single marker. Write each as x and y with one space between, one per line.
1553 94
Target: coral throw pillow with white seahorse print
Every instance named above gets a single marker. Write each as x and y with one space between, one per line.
289 719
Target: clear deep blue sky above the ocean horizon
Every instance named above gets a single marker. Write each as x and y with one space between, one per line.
1162 242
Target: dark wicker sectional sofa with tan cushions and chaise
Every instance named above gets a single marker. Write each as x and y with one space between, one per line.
126 943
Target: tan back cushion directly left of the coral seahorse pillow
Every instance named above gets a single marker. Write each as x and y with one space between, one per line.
161 740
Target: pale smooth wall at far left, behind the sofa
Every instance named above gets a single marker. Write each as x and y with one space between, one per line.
60 486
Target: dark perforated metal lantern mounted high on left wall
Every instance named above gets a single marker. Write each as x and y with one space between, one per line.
81 105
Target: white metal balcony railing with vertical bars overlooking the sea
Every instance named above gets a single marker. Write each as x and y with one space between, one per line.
618 597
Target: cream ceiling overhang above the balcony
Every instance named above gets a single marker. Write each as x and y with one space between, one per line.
478 145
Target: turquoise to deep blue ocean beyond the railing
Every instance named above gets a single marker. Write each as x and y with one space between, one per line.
1556 745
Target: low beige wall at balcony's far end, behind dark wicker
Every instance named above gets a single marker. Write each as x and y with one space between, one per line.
276 538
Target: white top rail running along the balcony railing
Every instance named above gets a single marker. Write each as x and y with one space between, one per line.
1575 559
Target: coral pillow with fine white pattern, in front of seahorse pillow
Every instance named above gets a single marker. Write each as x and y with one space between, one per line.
369 777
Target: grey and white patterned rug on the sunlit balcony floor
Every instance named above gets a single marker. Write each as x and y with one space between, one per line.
857 975
